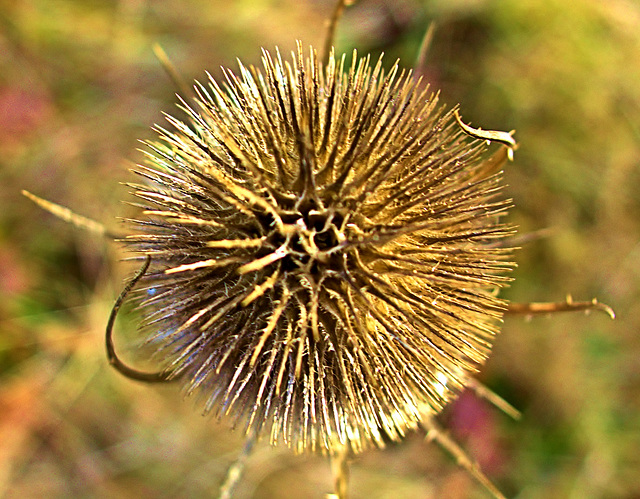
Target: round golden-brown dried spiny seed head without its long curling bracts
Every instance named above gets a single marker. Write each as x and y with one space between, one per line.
325 248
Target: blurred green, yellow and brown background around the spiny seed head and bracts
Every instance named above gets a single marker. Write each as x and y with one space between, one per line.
79 85
